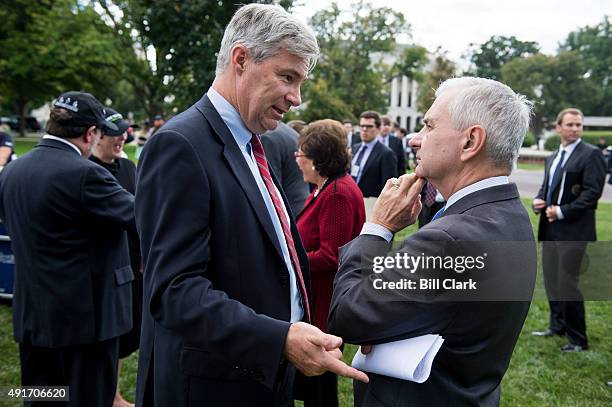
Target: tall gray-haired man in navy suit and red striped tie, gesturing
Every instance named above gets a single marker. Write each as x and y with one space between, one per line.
226 276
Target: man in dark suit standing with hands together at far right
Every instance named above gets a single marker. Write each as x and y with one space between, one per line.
573 182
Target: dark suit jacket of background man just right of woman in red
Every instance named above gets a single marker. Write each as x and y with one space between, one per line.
381 165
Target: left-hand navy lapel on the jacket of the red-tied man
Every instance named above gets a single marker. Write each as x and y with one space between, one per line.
241 170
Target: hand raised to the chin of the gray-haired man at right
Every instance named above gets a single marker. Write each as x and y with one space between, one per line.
398 206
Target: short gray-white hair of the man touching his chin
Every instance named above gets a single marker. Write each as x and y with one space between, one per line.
503 114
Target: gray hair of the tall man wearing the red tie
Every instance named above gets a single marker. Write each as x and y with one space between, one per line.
265 30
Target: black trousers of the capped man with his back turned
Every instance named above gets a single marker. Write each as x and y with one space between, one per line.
90 372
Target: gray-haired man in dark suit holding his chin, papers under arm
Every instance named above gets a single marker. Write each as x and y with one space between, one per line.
472 135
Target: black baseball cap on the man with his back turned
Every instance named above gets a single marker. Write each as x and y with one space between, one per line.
86 110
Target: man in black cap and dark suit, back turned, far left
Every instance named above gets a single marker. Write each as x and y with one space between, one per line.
68 218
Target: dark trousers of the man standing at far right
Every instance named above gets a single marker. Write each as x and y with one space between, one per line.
562 262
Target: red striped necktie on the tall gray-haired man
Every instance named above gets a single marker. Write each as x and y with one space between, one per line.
262 164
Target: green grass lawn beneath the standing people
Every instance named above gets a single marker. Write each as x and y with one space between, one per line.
539 374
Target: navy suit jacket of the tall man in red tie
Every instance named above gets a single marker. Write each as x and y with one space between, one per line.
216 289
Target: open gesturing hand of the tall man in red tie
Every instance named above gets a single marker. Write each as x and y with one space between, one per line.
314 352
